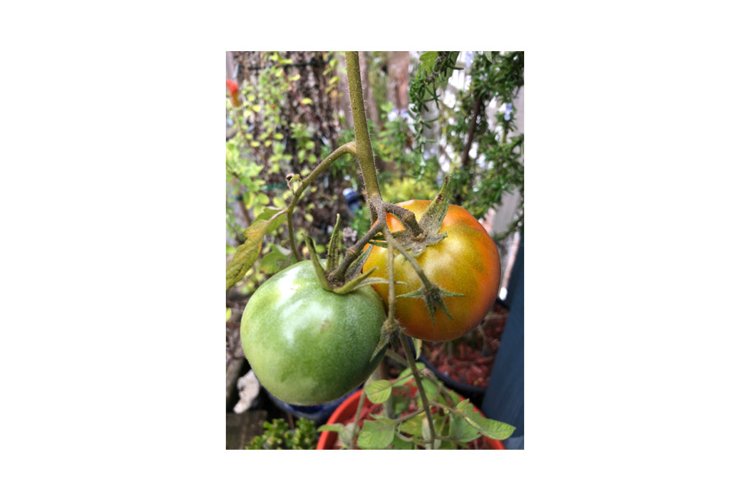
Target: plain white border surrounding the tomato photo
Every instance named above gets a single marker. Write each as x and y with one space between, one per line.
112 270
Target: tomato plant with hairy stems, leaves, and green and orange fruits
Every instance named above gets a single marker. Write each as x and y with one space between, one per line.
316 330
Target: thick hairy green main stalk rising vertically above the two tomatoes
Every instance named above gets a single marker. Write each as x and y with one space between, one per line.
364 154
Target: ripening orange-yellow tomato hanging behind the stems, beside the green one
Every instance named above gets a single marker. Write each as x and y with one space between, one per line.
466 261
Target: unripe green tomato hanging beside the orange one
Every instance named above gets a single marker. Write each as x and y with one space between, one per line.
307 345
